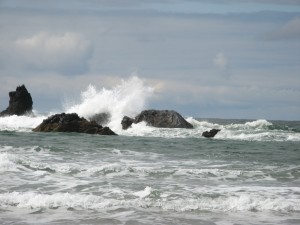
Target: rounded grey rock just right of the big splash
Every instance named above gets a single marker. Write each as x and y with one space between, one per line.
158 118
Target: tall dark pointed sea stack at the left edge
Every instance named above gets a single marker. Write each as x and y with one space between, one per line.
20 102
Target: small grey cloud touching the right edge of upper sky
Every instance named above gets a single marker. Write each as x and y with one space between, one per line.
289 31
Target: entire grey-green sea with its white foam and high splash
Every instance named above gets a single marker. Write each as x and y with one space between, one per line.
248 174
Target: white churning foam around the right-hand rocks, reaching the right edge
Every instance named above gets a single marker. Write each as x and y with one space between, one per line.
250 131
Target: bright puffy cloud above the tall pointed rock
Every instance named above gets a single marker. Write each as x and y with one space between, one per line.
67 53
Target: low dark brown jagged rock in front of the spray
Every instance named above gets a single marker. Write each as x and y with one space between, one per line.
71 123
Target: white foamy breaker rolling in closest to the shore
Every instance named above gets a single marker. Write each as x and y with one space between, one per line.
147 198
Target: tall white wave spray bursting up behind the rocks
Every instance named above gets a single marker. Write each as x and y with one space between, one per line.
128 98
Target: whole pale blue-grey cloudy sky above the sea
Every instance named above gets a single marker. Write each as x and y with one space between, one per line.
208 59
